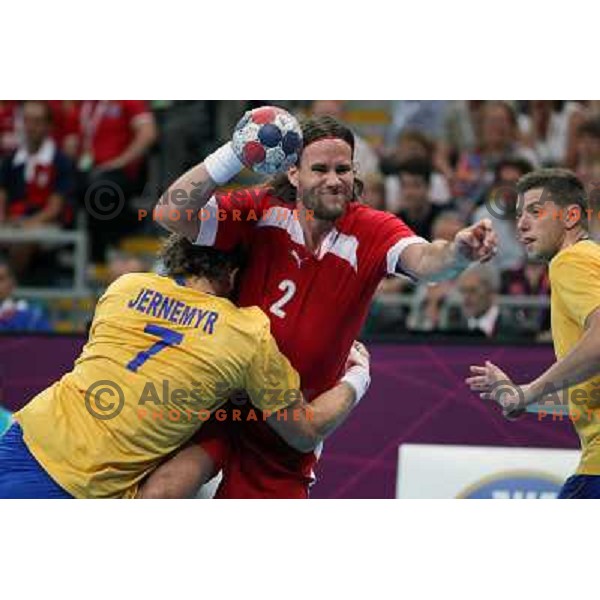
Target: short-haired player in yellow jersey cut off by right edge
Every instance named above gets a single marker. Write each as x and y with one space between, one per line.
553 223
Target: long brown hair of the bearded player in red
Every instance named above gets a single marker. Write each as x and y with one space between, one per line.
314 129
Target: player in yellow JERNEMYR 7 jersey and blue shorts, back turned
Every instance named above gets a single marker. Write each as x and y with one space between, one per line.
164 353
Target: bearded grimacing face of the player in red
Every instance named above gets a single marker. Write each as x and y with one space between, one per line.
324 180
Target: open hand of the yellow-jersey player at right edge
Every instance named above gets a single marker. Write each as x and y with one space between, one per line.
494 384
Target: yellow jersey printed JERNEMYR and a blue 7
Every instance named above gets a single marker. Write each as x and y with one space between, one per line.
159 357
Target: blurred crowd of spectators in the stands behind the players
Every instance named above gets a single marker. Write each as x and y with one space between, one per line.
67 166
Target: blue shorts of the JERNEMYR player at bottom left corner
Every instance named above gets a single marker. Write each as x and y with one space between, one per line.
21 476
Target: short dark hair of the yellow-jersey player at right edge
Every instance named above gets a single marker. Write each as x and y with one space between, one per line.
560 186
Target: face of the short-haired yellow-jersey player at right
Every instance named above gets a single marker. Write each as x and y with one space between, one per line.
540 231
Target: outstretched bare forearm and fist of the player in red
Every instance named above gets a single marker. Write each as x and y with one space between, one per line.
441 260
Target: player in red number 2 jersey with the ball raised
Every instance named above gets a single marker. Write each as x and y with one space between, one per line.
315 256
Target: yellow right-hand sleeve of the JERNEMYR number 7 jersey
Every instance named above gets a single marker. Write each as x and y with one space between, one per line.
272 383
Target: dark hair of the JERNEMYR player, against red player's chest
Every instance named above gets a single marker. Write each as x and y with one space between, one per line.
180 257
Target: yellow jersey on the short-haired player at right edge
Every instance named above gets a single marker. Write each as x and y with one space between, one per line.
575 282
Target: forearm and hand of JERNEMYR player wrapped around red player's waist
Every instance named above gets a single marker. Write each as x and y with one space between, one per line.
304 426
